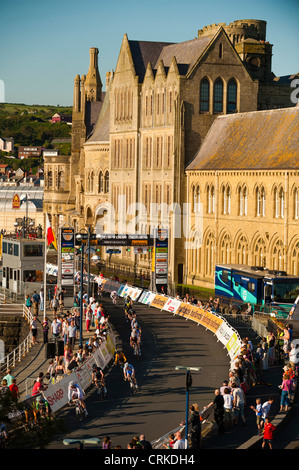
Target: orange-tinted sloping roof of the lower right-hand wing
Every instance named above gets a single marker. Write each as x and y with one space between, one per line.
255 140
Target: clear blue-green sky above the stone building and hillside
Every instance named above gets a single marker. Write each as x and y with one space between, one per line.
45 44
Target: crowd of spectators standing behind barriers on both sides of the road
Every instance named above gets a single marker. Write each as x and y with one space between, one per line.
229 403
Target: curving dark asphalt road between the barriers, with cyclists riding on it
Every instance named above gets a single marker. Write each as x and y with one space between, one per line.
160 404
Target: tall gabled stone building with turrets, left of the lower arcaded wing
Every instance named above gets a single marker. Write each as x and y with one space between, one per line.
137 139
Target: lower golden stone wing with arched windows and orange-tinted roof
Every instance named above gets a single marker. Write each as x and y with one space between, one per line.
245 208
